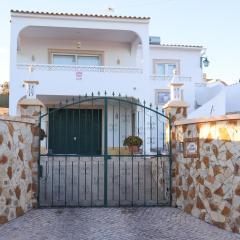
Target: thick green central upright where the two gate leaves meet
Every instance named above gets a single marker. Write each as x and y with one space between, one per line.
105 149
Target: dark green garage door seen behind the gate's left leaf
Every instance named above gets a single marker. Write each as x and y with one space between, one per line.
75 131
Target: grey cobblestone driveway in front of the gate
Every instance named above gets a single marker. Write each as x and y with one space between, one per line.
112 224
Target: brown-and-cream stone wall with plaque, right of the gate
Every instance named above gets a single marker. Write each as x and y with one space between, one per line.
208 186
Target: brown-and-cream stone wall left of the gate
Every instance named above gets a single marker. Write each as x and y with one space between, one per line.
18 167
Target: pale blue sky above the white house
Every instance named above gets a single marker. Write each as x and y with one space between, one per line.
214 24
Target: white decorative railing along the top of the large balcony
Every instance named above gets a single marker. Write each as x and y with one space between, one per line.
74 68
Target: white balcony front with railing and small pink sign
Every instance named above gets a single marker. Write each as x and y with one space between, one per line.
78 80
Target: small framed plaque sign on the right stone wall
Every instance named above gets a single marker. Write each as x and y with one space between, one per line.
191 148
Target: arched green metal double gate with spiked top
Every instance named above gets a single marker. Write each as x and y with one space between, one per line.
83 161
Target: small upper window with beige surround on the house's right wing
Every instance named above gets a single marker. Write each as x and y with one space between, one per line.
165 67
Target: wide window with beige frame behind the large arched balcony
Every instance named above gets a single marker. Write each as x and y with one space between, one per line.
71 58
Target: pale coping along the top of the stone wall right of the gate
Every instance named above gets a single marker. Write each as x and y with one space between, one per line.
208 119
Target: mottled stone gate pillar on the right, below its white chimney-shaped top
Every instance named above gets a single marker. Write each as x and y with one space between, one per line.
177 110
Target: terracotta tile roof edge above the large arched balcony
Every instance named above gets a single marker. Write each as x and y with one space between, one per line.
79 14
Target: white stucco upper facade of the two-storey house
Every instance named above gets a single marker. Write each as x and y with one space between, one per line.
128 61
